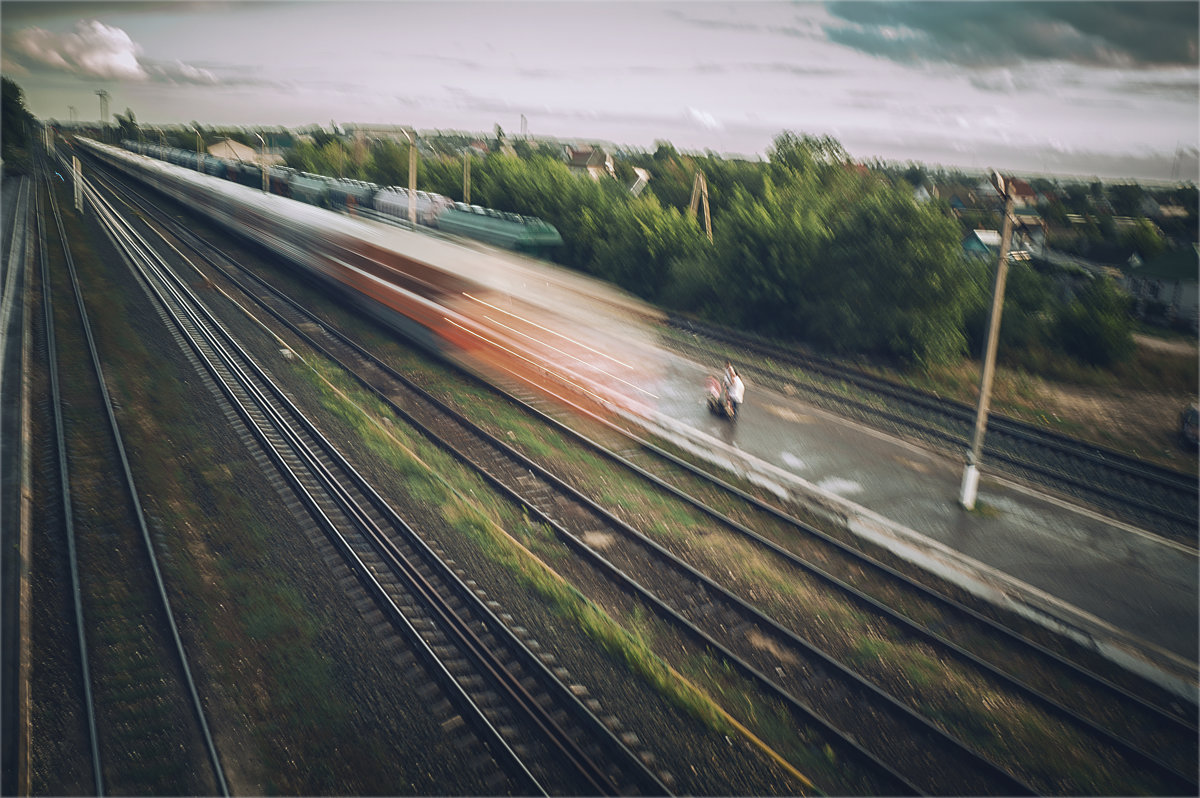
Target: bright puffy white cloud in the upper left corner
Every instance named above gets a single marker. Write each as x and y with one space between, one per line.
94 50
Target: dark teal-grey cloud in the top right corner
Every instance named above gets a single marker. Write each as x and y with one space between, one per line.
1126 35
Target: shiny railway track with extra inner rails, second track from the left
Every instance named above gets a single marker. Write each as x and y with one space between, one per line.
539 730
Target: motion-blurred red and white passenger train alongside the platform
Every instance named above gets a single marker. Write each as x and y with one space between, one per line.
500 314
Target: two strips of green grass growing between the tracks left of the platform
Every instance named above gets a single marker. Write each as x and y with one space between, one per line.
514 542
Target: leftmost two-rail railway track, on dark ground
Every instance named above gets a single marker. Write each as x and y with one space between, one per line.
134 698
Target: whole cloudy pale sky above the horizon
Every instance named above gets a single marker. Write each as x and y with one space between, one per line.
1090 89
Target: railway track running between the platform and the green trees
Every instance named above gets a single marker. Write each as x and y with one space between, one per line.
1143 494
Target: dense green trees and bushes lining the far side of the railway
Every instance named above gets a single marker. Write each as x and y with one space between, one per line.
806 247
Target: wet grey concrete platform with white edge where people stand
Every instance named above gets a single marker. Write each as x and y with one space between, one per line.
1131 595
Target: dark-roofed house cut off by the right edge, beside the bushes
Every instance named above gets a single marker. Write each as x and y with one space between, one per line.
1167 289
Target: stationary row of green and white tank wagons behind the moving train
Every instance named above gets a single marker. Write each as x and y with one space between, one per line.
526 235
